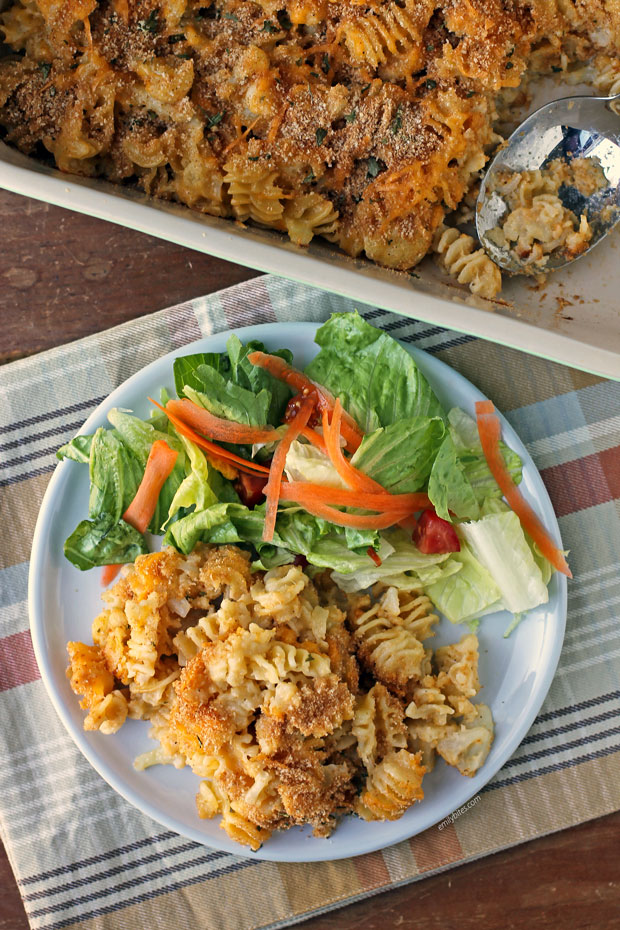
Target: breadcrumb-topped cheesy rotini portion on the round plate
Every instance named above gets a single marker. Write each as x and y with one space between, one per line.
252 682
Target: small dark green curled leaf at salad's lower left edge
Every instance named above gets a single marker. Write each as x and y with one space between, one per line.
103 541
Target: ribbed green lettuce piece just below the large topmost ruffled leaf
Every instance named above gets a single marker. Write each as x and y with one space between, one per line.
400 456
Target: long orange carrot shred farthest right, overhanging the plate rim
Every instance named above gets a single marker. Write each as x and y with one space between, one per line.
489 430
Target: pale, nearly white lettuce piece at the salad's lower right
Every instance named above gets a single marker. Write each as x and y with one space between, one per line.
499 544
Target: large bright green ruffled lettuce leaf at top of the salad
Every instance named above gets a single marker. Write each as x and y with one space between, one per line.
375 378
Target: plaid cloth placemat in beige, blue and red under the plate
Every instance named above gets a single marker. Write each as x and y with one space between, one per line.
84 857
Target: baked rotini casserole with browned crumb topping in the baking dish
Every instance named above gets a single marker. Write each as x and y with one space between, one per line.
367 124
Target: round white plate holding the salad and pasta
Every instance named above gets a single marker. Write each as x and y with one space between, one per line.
515 673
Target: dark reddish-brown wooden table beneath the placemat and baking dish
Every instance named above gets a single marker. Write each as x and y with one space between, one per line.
65 276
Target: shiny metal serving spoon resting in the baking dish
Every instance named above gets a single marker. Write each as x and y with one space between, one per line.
573 127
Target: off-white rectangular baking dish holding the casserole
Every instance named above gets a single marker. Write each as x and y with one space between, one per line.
574 319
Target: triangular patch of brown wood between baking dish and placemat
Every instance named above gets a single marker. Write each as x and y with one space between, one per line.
63 275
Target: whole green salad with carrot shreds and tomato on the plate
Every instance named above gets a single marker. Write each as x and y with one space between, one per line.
250 439
